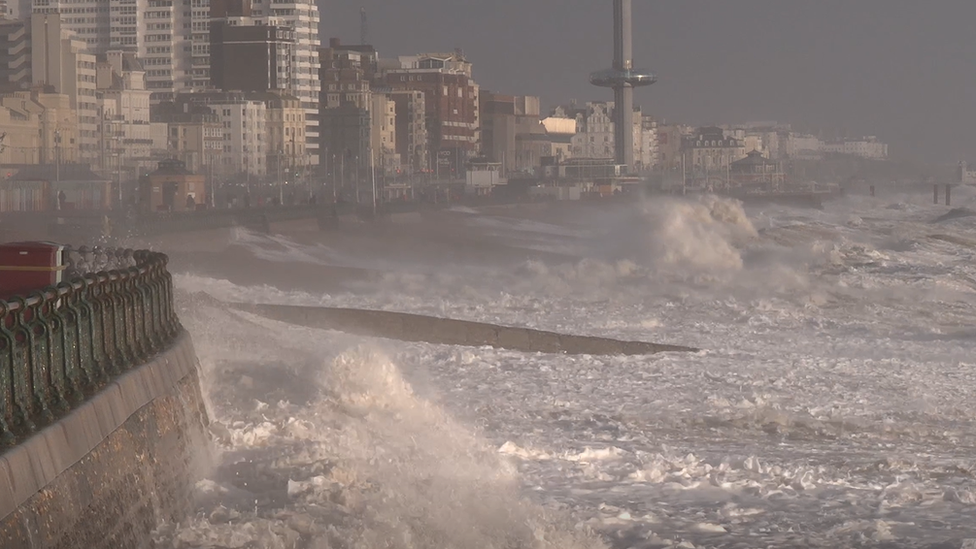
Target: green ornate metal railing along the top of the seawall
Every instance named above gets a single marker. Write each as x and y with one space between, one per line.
62 344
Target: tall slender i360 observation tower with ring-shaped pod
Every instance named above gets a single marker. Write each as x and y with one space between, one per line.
623 78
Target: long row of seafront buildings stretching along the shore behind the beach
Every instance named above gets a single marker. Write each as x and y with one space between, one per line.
243 92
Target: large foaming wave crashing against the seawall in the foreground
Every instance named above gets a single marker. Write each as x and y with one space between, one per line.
325 444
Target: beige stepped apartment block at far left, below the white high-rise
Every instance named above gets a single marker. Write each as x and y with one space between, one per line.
60 60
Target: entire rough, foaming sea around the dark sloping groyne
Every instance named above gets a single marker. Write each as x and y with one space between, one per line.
831 404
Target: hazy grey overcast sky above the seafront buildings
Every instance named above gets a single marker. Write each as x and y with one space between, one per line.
904 70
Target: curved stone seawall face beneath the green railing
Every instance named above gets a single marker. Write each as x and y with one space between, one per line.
108 473
